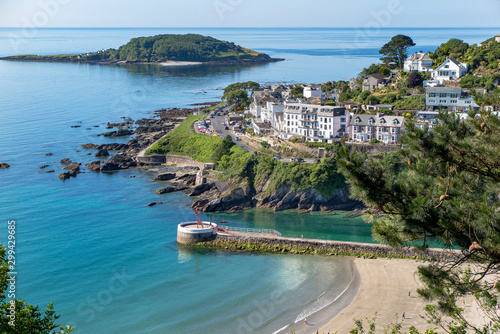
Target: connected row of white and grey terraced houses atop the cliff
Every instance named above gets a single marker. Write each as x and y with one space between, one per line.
310 120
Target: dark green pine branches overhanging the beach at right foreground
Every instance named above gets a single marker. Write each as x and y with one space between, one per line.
442 186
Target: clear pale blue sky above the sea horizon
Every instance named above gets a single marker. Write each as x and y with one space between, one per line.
249 13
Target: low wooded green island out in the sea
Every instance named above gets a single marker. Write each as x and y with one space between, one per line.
169 50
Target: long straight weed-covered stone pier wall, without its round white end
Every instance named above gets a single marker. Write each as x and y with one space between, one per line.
254 242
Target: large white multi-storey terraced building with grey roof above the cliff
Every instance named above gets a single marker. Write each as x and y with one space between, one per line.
314 123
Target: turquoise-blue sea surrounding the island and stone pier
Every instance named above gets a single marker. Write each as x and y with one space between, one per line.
90 245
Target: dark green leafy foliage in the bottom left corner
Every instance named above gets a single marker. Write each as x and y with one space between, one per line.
29 318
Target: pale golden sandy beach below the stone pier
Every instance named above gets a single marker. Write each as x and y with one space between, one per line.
384 287
